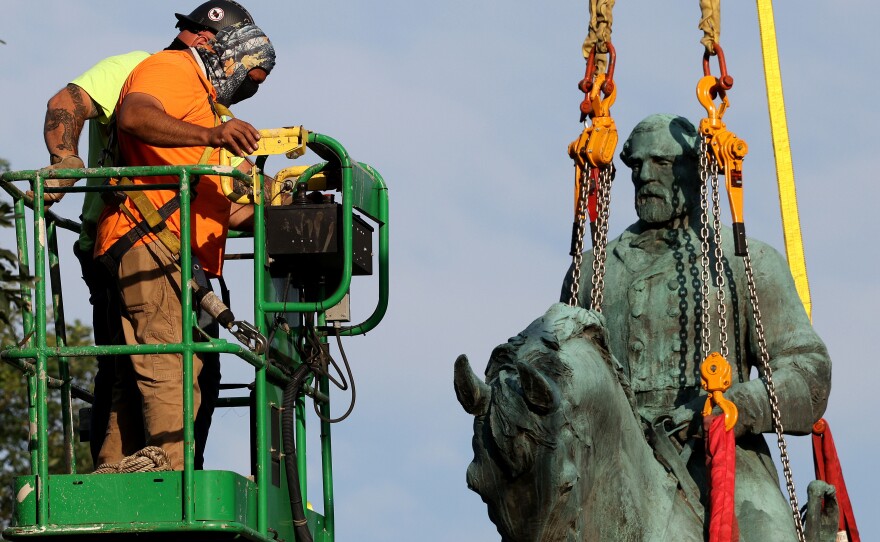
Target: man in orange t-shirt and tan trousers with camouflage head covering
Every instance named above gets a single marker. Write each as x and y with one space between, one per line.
166 115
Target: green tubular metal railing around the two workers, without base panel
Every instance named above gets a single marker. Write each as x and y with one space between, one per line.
361 188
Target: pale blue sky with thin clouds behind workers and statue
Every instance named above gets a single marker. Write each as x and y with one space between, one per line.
466 108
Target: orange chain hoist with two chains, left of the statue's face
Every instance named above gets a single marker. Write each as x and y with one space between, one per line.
593 152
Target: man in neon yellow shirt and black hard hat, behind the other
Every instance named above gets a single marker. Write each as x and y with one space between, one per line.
92 96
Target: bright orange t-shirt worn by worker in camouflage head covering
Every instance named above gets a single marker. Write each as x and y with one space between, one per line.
177 81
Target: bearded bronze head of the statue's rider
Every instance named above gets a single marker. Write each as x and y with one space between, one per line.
662 152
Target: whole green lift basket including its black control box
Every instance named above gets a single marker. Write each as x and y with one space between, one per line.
311 246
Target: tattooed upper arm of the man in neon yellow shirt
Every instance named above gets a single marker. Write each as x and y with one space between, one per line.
66 114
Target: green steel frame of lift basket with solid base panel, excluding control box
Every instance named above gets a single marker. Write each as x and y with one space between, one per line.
207 505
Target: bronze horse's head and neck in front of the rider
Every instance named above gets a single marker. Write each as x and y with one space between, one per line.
559 453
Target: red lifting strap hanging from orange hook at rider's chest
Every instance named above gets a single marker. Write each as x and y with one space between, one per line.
721 462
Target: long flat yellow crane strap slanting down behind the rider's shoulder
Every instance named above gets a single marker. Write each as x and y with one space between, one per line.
791 226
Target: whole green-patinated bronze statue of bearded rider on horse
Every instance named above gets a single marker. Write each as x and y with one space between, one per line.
549 408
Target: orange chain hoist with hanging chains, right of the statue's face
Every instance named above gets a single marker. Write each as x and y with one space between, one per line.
722 151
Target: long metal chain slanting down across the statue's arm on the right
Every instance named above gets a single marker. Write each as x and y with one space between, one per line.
774 400
